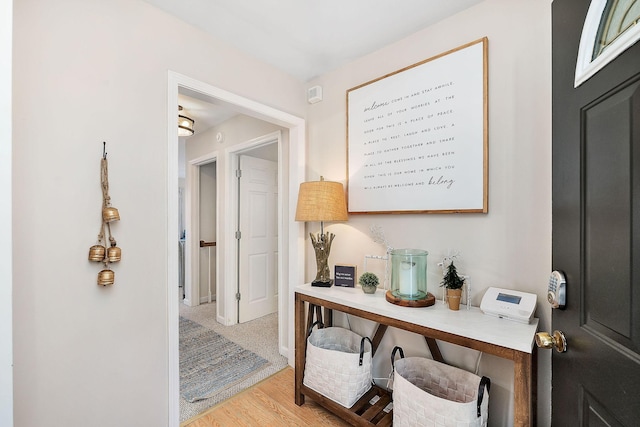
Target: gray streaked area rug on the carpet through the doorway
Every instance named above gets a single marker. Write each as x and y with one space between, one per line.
210 363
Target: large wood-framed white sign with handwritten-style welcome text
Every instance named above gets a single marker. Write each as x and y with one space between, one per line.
417 138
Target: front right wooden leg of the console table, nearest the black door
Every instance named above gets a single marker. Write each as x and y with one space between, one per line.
522 389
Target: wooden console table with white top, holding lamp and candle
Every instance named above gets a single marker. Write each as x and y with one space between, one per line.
468 328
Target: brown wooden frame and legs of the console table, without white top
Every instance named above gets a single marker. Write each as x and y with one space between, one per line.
525 365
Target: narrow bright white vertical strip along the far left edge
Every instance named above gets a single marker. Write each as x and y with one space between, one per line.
6 318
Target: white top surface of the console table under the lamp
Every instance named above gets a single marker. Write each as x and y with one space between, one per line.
470 323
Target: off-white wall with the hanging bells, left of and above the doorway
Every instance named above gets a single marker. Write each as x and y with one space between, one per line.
91 72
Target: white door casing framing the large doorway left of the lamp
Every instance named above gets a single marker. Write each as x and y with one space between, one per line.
291 257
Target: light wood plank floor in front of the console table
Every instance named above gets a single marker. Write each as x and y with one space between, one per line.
268 403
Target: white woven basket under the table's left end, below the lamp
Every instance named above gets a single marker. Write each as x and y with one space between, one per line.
333 366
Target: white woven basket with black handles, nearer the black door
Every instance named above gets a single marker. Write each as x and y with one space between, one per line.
430 393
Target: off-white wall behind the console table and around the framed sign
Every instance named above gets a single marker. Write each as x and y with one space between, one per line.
511 245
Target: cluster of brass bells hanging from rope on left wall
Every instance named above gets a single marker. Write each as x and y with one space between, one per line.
99 252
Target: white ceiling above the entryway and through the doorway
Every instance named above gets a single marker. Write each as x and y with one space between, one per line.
303 38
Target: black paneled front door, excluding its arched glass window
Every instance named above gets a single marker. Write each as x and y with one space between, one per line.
596 230
